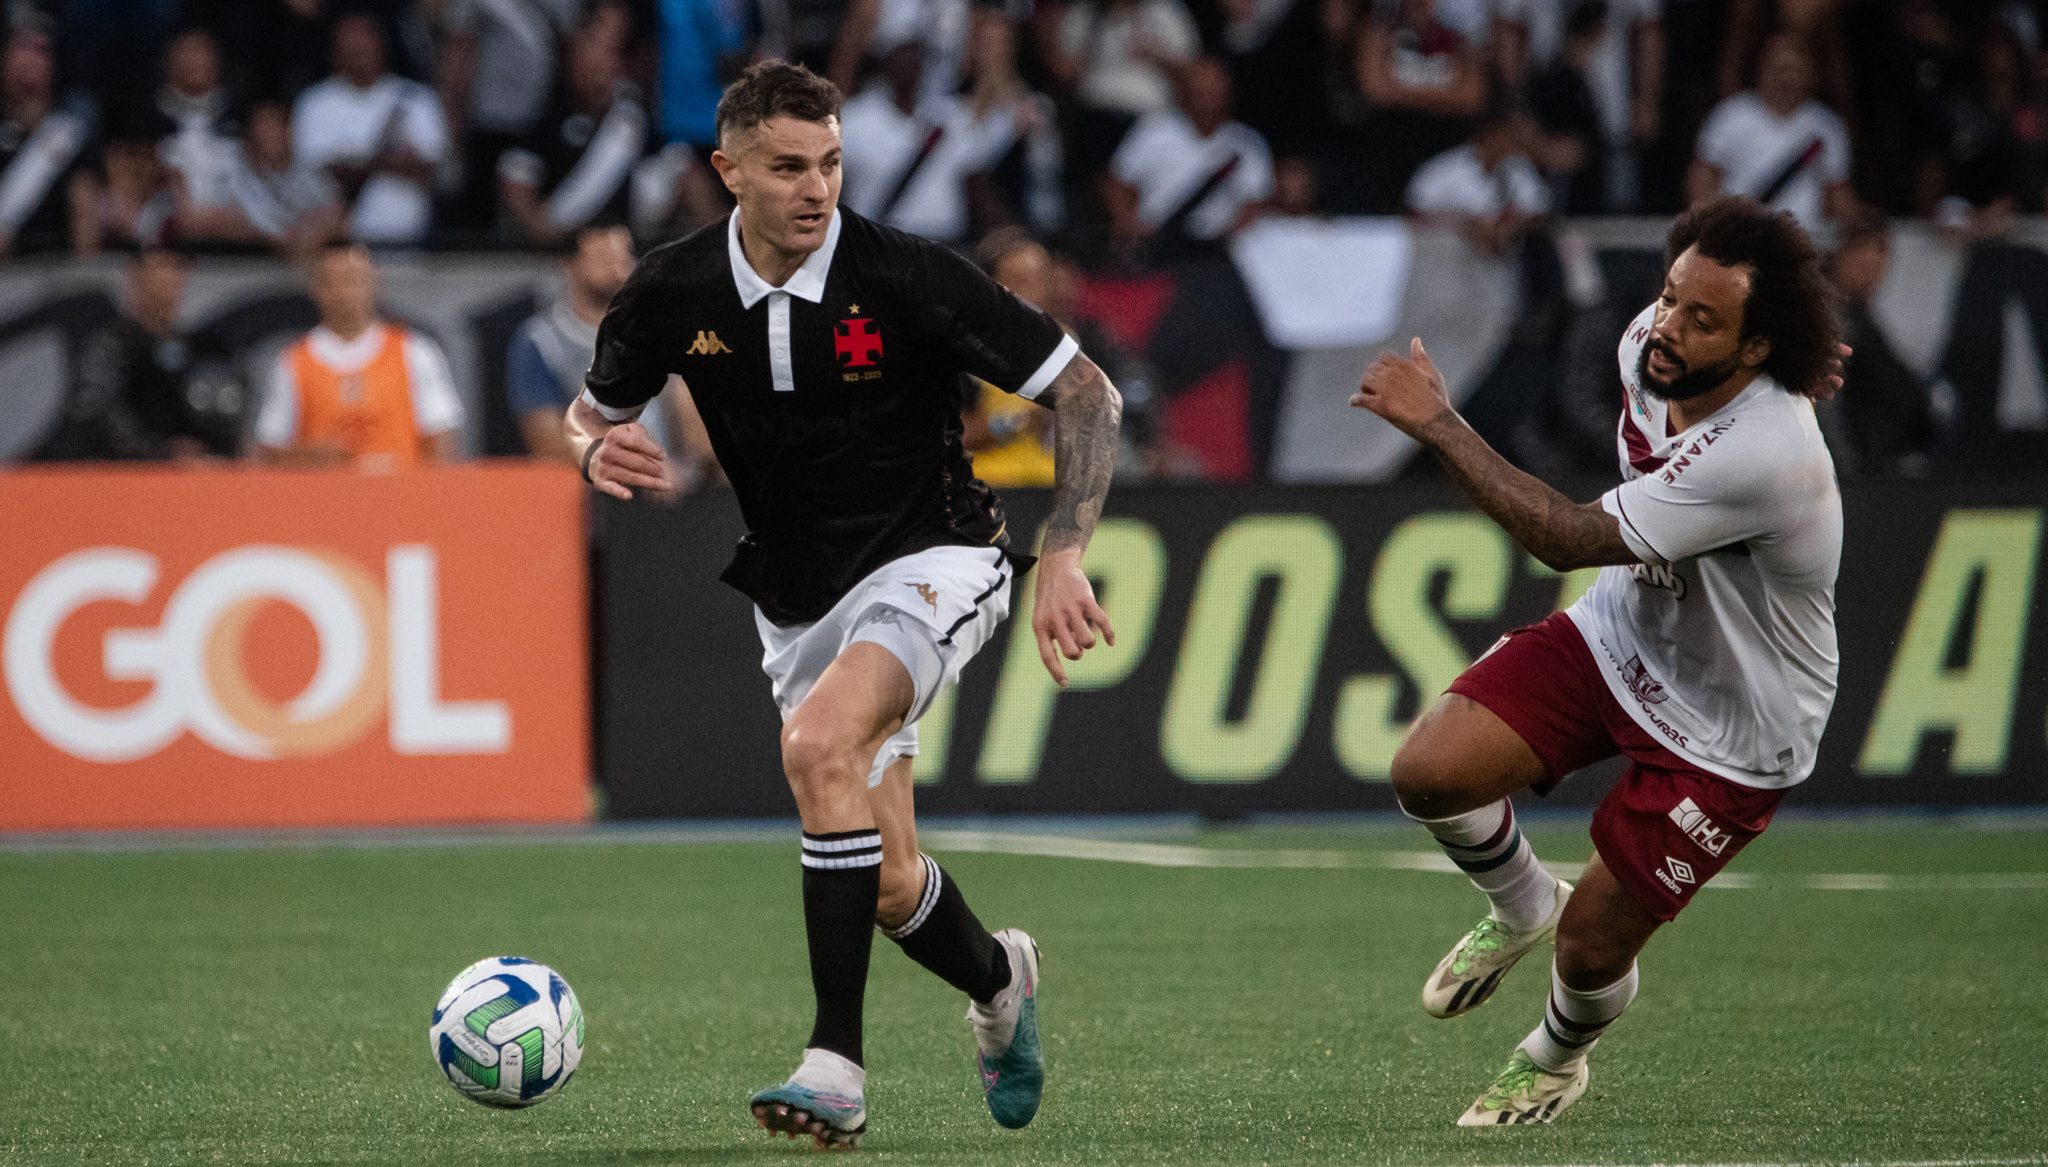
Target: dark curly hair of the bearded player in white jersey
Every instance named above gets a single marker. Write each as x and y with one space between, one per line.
1791 296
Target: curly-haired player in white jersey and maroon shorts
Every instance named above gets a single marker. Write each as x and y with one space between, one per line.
1705 652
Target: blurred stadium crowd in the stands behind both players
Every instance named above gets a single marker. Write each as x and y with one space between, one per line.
1056 138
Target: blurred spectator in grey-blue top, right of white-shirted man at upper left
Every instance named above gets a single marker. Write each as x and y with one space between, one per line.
497 75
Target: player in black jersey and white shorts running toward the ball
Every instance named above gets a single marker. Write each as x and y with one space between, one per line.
824 355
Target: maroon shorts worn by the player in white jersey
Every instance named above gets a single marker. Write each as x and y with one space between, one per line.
1668 826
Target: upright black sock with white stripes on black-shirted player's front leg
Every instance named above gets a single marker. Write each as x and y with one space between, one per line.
841 885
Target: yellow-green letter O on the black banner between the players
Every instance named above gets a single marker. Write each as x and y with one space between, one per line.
1308 562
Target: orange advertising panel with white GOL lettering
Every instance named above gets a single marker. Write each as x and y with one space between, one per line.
292 650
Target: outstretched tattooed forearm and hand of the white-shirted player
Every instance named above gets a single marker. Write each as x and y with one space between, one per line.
1566 535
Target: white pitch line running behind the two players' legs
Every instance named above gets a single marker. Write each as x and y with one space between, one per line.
1191 857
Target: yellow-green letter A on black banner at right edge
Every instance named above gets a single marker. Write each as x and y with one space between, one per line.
1996 550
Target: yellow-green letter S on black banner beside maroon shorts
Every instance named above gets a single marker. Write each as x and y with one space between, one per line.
1476 558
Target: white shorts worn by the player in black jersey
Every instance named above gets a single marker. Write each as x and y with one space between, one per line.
933 611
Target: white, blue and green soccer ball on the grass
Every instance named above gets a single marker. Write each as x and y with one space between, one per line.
509 1033
